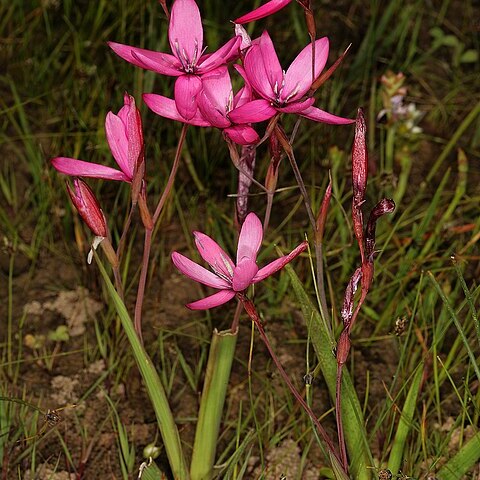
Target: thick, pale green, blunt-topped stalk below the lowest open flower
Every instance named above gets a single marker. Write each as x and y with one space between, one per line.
220 358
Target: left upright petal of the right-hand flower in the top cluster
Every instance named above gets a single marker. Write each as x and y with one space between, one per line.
263 69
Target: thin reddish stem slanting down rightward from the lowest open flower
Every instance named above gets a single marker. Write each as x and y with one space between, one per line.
252 313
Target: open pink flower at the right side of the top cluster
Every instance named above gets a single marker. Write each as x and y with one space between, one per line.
281 91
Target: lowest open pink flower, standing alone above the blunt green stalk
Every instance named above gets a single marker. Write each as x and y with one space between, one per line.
228 277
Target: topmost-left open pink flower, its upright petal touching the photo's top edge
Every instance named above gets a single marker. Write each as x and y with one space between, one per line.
185 34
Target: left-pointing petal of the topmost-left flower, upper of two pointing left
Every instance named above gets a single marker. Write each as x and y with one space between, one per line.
162 63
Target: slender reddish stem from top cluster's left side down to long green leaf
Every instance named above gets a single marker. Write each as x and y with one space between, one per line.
148 234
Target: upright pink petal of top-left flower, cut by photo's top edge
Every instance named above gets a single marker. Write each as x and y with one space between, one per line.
185 32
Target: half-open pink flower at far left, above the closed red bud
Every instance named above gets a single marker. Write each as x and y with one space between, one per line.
125 139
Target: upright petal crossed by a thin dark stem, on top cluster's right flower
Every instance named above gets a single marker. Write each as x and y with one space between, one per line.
298 78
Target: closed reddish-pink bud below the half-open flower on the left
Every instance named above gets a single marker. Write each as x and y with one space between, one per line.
88 207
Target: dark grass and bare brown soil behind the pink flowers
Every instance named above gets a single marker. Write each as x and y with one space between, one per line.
59 79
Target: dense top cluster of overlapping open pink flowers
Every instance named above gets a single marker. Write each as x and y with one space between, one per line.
203 93
